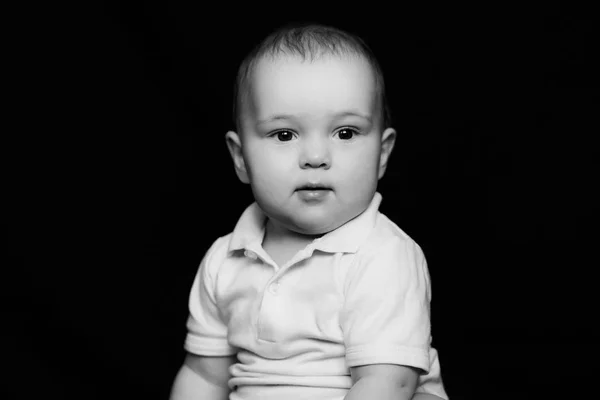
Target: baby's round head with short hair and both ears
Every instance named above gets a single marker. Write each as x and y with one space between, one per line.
313 135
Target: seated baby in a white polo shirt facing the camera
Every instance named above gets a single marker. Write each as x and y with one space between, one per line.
315 294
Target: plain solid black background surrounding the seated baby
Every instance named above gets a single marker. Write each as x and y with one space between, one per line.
119 180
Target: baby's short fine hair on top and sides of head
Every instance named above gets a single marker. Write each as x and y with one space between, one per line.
309 41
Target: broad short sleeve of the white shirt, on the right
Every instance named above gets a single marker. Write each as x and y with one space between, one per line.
386 315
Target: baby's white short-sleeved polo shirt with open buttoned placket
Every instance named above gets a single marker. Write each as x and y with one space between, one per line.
358 295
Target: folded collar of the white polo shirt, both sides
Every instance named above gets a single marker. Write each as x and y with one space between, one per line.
250 230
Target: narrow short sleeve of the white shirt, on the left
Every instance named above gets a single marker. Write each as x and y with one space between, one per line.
207 333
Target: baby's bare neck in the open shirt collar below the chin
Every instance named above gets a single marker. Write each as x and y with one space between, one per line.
281 244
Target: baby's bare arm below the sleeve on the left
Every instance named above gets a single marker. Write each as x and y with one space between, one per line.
203 377
